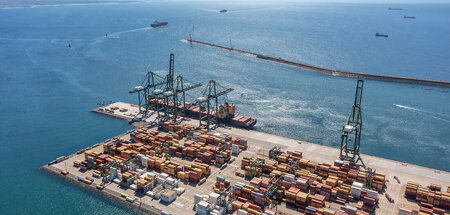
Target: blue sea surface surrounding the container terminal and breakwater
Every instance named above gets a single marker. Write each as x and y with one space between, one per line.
47 89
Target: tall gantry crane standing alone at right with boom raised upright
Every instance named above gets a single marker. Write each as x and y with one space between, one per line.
350 152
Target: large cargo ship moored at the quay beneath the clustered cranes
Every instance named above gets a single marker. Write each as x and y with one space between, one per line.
226 114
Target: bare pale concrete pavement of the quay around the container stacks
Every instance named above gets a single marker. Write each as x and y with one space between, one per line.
259 144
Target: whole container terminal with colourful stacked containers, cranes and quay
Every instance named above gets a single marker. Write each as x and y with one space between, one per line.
174 164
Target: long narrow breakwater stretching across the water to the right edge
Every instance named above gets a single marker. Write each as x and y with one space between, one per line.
328 71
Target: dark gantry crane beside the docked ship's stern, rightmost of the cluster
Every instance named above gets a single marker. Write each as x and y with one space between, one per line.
212 92
